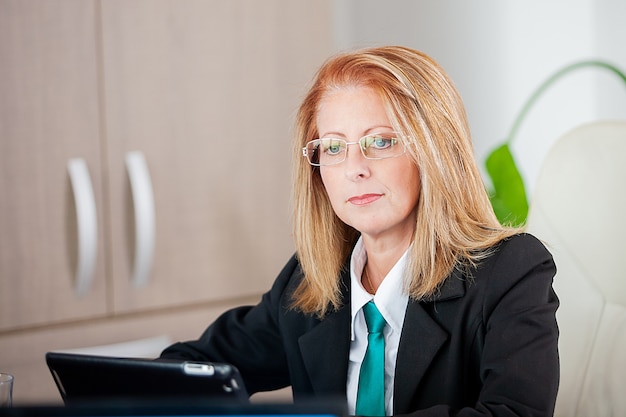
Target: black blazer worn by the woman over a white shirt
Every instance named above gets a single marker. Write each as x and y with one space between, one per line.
486 344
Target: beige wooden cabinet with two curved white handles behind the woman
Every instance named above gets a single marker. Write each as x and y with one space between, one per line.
205 91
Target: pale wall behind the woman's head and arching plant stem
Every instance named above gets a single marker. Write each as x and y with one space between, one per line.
498 52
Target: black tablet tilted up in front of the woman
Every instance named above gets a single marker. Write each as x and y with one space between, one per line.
81 378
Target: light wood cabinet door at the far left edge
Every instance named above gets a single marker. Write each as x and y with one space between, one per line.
49 114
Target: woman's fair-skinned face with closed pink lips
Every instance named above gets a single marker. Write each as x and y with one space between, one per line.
376 197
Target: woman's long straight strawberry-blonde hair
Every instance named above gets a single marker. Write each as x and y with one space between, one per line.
455 223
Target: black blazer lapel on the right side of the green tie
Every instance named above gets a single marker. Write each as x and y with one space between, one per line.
421 339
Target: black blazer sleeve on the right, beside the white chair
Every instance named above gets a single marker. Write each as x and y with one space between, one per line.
520 361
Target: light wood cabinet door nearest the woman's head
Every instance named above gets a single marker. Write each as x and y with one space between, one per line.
207 91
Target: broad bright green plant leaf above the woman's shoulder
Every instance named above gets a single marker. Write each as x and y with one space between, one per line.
508 196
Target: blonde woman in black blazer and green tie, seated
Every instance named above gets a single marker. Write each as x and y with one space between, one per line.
390 208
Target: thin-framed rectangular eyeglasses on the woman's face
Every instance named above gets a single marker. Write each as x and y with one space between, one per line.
333 151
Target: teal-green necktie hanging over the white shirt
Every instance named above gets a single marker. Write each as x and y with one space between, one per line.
370 398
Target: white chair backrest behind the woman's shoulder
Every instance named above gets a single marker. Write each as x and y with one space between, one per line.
578 209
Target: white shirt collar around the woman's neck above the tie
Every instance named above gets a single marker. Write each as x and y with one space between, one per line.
391 297
